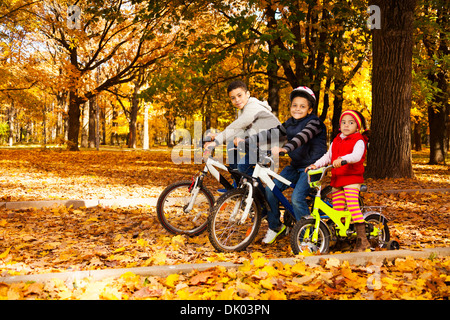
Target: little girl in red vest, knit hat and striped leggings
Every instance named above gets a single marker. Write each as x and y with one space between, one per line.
349 145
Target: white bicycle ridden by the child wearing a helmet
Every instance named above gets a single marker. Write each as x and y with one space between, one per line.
235 219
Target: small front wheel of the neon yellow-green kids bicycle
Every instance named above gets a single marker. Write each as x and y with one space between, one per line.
302 228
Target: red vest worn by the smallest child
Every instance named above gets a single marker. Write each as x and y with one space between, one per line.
349 173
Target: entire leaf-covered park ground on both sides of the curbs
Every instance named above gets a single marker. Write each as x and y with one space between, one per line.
64 239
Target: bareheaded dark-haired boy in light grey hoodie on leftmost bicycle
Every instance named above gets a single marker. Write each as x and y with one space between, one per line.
253 116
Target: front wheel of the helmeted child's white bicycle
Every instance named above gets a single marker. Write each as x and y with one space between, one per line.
227 231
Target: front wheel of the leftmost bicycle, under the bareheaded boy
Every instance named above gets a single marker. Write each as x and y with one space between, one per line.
174 219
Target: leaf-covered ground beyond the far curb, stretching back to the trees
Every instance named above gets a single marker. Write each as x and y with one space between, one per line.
48 175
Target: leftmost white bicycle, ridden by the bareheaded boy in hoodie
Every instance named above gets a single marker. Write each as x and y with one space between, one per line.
183 206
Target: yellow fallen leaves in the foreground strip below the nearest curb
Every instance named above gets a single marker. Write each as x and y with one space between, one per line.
404 278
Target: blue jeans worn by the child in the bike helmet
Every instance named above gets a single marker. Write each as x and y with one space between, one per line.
298 199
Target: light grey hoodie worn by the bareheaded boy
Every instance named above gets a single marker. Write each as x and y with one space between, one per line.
254 117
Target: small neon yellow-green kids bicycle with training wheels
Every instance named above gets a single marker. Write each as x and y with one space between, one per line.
326 226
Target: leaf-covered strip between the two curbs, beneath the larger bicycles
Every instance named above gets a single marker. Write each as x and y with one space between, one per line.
66 239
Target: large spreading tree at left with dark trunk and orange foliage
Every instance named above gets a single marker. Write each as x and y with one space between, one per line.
110 37
